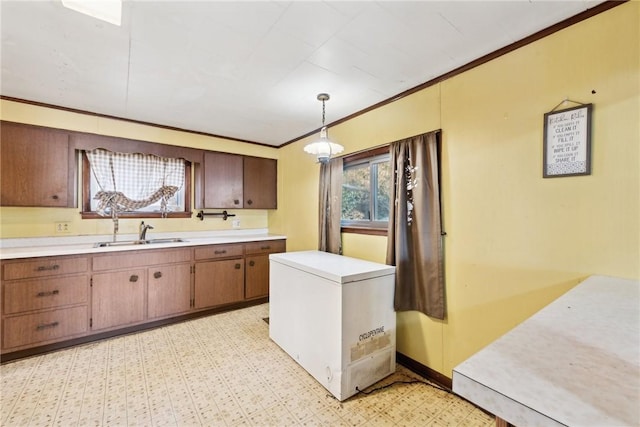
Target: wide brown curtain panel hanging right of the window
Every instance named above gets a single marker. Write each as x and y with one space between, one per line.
415 233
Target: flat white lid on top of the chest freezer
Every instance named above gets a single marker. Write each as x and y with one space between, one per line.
336 268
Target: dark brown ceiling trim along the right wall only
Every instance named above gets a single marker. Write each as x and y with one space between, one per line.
602 7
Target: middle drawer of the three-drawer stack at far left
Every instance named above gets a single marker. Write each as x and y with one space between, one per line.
27 295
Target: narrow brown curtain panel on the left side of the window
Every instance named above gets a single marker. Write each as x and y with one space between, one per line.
330 206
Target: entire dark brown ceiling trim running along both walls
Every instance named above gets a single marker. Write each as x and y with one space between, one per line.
602 7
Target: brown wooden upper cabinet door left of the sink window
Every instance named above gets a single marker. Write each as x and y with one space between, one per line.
36 167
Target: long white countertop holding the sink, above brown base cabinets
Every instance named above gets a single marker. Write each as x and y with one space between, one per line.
56 246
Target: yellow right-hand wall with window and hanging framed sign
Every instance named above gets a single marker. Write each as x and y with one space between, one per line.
515 241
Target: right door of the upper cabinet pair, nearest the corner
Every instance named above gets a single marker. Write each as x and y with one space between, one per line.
260 183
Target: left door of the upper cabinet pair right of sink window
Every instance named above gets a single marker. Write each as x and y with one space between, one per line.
222 180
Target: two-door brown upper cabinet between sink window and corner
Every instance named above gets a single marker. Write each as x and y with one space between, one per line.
232 181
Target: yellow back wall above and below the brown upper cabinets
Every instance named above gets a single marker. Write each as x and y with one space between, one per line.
39 222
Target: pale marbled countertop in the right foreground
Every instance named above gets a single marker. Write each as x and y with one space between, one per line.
576 362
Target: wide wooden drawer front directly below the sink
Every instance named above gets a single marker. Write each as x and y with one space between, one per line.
141 259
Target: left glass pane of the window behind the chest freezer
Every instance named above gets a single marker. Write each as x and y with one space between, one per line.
356 197
